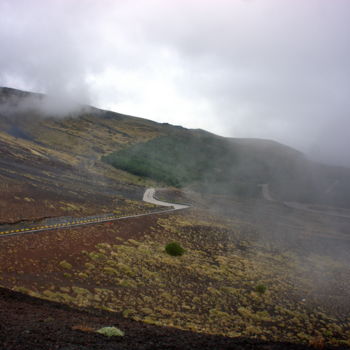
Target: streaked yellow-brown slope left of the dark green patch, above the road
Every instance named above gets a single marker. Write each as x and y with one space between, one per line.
49 164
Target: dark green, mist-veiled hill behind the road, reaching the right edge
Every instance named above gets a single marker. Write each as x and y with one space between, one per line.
213 164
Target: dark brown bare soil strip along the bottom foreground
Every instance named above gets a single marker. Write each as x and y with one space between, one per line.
30 323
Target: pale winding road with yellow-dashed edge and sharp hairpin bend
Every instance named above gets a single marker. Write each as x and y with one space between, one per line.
65 222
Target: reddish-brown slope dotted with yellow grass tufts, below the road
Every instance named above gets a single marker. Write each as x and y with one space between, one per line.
210 289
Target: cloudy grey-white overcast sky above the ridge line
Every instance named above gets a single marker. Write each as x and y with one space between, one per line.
277 69
